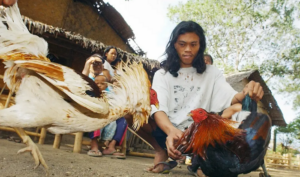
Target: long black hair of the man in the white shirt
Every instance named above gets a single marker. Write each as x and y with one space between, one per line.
172 63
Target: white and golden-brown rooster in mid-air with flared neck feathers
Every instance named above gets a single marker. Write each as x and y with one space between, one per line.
54 96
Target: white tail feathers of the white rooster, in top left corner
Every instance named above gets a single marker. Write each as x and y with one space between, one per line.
16 39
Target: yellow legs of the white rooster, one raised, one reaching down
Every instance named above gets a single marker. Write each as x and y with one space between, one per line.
31 146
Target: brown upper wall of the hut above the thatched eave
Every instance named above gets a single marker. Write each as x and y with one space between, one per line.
73 16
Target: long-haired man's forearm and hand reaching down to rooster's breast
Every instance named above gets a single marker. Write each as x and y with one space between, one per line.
173 134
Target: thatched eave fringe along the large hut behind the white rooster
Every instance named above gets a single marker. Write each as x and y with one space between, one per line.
49 31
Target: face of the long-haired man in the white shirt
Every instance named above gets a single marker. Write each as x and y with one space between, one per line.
187 47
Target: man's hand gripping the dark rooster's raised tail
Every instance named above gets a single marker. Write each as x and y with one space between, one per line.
254 89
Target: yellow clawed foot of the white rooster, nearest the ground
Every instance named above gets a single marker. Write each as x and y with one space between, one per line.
35 152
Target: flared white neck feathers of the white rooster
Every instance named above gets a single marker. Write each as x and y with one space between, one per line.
132 95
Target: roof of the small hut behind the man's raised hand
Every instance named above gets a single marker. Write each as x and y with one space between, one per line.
268 99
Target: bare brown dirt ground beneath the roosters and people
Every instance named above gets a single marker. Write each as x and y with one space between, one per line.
62 162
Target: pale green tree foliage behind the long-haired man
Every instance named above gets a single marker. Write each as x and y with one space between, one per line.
248 34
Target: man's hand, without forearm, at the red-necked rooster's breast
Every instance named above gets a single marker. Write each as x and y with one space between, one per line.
173 136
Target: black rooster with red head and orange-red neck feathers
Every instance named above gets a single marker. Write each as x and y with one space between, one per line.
223 150
